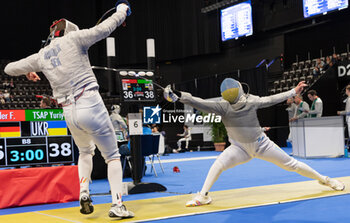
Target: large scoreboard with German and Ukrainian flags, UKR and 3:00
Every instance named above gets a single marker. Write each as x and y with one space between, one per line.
30 137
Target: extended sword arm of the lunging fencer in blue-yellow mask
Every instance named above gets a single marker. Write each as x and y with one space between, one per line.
217 107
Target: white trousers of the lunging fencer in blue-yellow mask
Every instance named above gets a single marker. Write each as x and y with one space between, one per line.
263 149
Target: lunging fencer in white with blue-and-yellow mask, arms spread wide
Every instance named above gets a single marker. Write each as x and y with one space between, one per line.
239 115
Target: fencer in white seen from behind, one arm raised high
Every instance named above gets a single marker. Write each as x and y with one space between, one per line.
66 65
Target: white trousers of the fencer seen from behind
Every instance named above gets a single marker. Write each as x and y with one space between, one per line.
90 125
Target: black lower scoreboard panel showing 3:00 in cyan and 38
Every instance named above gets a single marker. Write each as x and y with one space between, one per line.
36 150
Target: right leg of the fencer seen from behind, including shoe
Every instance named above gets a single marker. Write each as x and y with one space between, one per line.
93 118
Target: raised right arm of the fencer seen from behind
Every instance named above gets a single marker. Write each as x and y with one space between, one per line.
88 37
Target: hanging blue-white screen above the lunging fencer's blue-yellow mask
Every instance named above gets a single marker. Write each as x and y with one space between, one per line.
236 21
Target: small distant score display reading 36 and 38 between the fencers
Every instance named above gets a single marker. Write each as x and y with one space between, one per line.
137 90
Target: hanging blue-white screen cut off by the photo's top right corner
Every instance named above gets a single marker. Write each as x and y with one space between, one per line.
316 7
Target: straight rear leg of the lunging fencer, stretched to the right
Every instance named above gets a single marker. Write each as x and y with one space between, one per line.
269 151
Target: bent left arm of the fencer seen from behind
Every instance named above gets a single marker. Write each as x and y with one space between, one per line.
23 66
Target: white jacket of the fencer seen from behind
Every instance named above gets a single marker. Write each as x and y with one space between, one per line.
65 61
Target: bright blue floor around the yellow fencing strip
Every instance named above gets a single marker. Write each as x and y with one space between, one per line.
254 173
